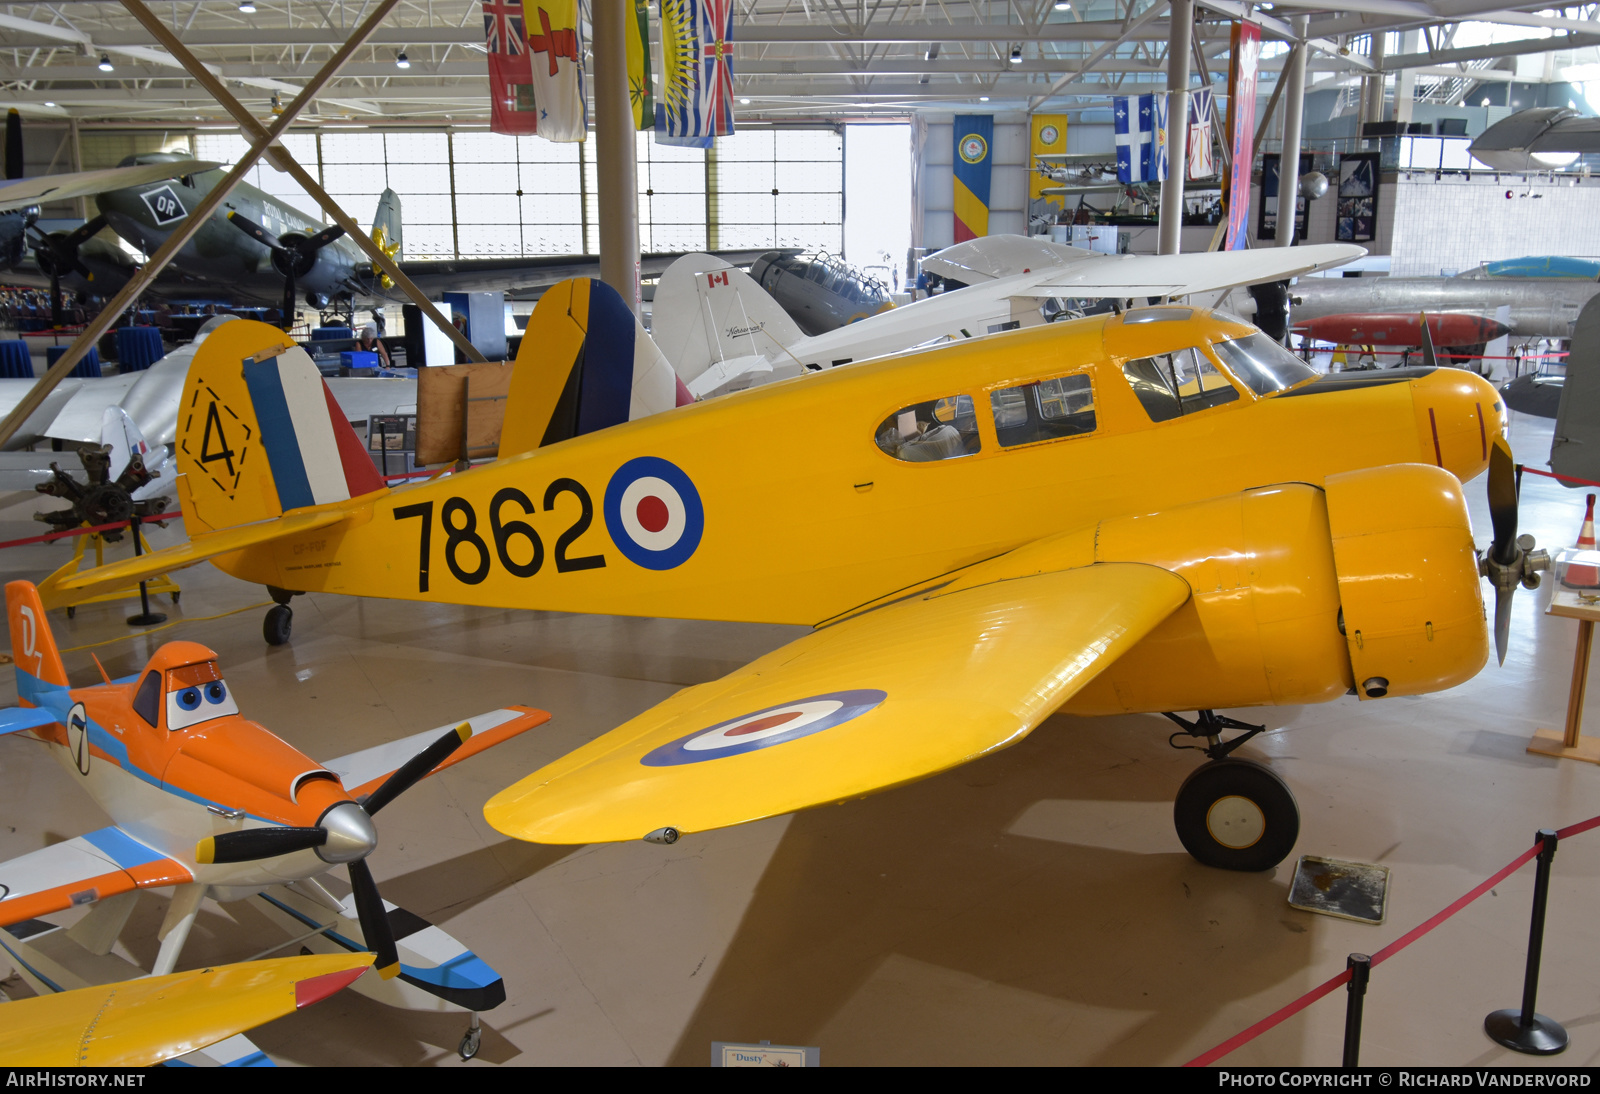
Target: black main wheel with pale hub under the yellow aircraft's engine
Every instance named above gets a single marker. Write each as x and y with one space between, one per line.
1234 815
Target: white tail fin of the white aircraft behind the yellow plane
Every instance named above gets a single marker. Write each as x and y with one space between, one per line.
710 313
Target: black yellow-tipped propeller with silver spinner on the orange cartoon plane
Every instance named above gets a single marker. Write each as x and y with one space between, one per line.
345 836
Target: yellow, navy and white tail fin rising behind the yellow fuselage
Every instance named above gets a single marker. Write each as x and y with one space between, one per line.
586 362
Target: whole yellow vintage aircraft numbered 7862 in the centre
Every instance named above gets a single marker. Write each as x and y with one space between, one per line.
1154 511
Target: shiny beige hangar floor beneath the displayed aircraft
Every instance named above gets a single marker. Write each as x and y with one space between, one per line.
1033 908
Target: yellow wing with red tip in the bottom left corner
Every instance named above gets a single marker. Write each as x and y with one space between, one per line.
143 1023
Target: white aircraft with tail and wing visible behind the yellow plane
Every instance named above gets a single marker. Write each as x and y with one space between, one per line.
724 333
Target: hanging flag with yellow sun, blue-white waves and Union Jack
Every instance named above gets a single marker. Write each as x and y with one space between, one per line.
697 73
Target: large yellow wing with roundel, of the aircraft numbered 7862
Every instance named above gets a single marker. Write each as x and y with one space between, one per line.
879 700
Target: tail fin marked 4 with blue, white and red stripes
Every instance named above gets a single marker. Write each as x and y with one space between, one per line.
266 439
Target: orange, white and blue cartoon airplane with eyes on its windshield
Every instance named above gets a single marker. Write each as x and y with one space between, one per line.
209 804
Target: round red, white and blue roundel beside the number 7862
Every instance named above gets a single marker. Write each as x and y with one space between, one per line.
654 513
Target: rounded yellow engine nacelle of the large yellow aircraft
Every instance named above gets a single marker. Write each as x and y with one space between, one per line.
1302 594
